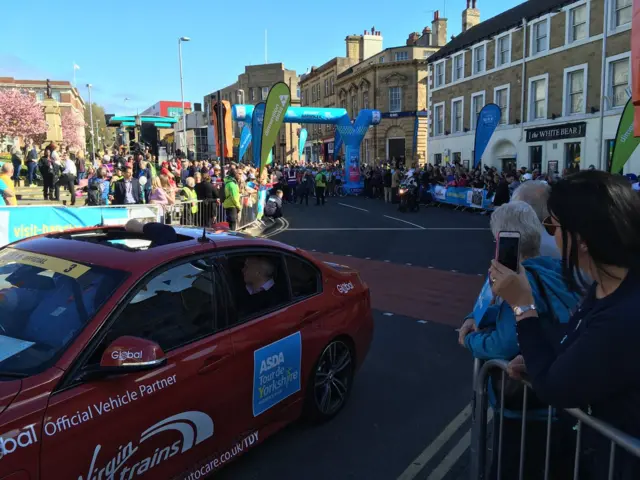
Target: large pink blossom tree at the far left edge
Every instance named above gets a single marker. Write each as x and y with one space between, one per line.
21 116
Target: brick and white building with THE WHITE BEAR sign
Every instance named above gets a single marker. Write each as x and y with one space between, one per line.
560 82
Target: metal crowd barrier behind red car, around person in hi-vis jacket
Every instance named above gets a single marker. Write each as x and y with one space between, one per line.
208 213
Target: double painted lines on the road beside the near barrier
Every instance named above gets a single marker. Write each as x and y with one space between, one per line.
414 469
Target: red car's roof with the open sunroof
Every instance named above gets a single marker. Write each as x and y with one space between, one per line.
64 245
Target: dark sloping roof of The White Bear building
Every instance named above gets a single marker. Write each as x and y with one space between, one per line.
498 24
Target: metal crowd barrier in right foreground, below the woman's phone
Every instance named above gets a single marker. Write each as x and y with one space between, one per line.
481 469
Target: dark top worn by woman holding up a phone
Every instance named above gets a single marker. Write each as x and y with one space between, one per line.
597 367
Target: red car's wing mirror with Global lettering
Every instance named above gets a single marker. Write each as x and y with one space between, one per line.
131 354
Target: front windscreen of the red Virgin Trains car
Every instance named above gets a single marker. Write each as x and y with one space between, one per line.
45 302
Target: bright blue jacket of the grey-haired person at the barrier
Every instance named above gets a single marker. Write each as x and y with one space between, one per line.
497 337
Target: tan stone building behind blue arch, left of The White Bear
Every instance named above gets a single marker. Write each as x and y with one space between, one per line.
393 80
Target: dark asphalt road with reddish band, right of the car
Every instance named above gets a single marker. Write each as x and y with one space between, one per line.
409 413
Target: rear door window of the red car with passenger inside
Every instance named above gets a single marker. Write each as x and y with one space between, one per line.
257 285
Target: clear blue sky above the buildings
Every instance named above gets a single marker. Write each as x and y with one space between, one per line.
107 40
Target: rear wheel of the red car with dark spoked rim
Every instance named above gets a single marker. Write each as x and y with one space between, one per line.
330 384
